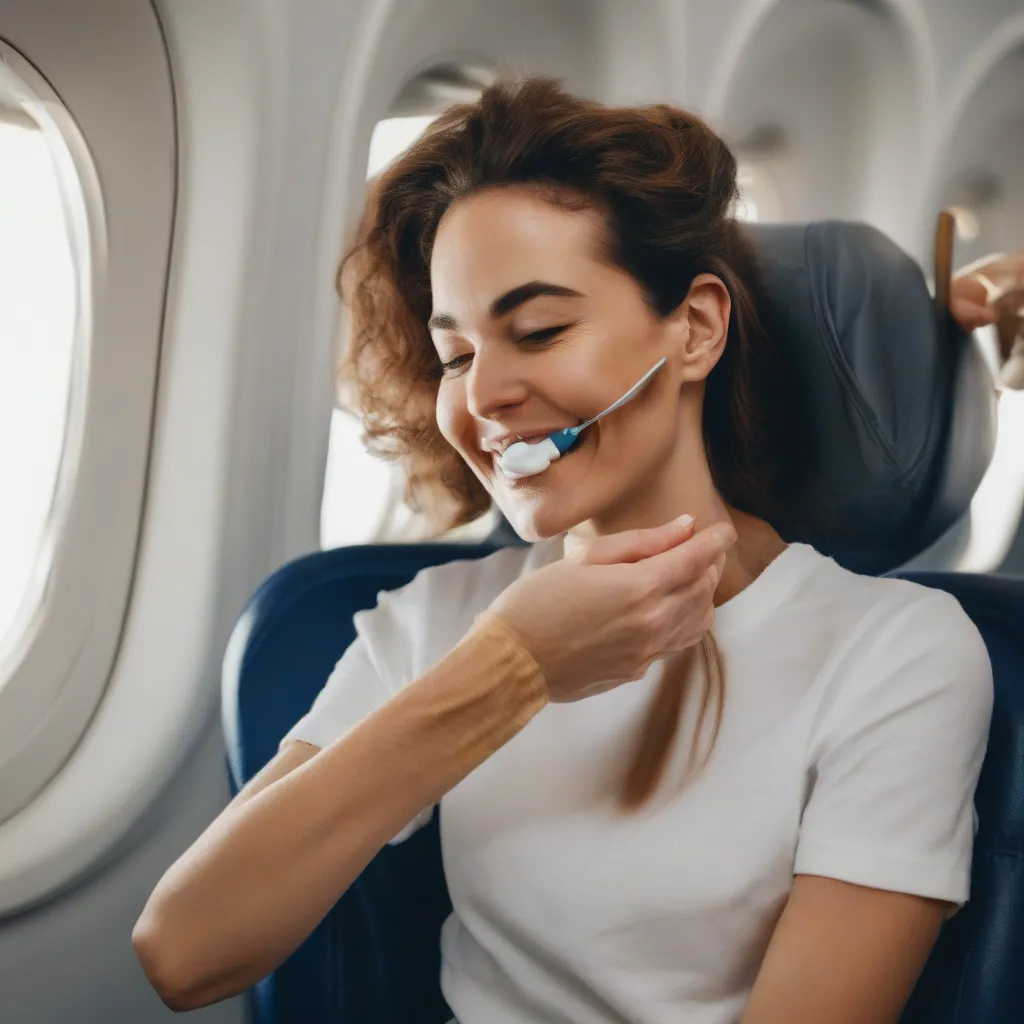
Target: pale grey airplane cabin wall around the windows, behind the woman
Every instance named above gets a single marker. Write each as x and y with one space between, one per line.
276 103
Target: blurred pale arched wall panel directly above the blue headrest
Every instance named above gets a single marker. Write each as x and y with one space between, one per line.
830 100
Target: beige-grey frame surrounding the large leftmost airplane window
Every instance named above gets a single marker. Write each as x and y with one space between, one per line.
61 652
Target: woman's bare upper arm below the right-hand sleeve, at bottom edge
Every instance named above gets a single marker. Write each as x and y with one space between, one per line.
843 954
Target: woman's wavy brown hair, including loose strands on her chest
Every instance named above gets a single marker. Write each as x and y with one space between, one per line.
666 185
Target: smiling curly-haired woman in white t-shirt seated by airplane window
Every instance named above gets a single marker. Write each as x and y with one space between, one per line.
643 821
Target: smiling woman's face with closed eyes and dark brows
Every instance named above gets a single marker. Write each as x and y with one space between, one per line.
539 332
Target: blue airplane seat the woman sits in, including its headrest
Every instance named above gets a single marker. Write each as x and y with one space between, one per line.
902 413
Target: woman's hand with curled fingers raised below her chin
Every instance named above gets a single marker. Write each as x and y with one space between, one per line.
603 616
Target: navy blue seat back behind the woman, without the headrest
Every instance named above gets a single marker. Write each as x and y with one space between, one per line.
375 959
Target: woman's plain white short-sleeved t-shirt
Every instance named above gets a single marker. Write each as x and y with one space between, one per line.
857 718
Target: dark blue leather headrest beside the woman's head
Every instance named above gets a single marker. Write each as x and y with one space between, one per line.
899 410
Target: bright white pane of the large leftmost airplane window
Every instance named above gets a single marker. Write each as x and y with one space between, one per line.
39 290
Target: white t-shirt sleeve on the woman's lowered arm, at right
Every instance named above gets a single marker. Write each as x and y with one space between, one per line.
897 754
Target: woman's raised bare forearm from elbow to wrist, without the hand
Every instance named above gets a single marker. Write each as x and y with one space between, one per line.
276 861
